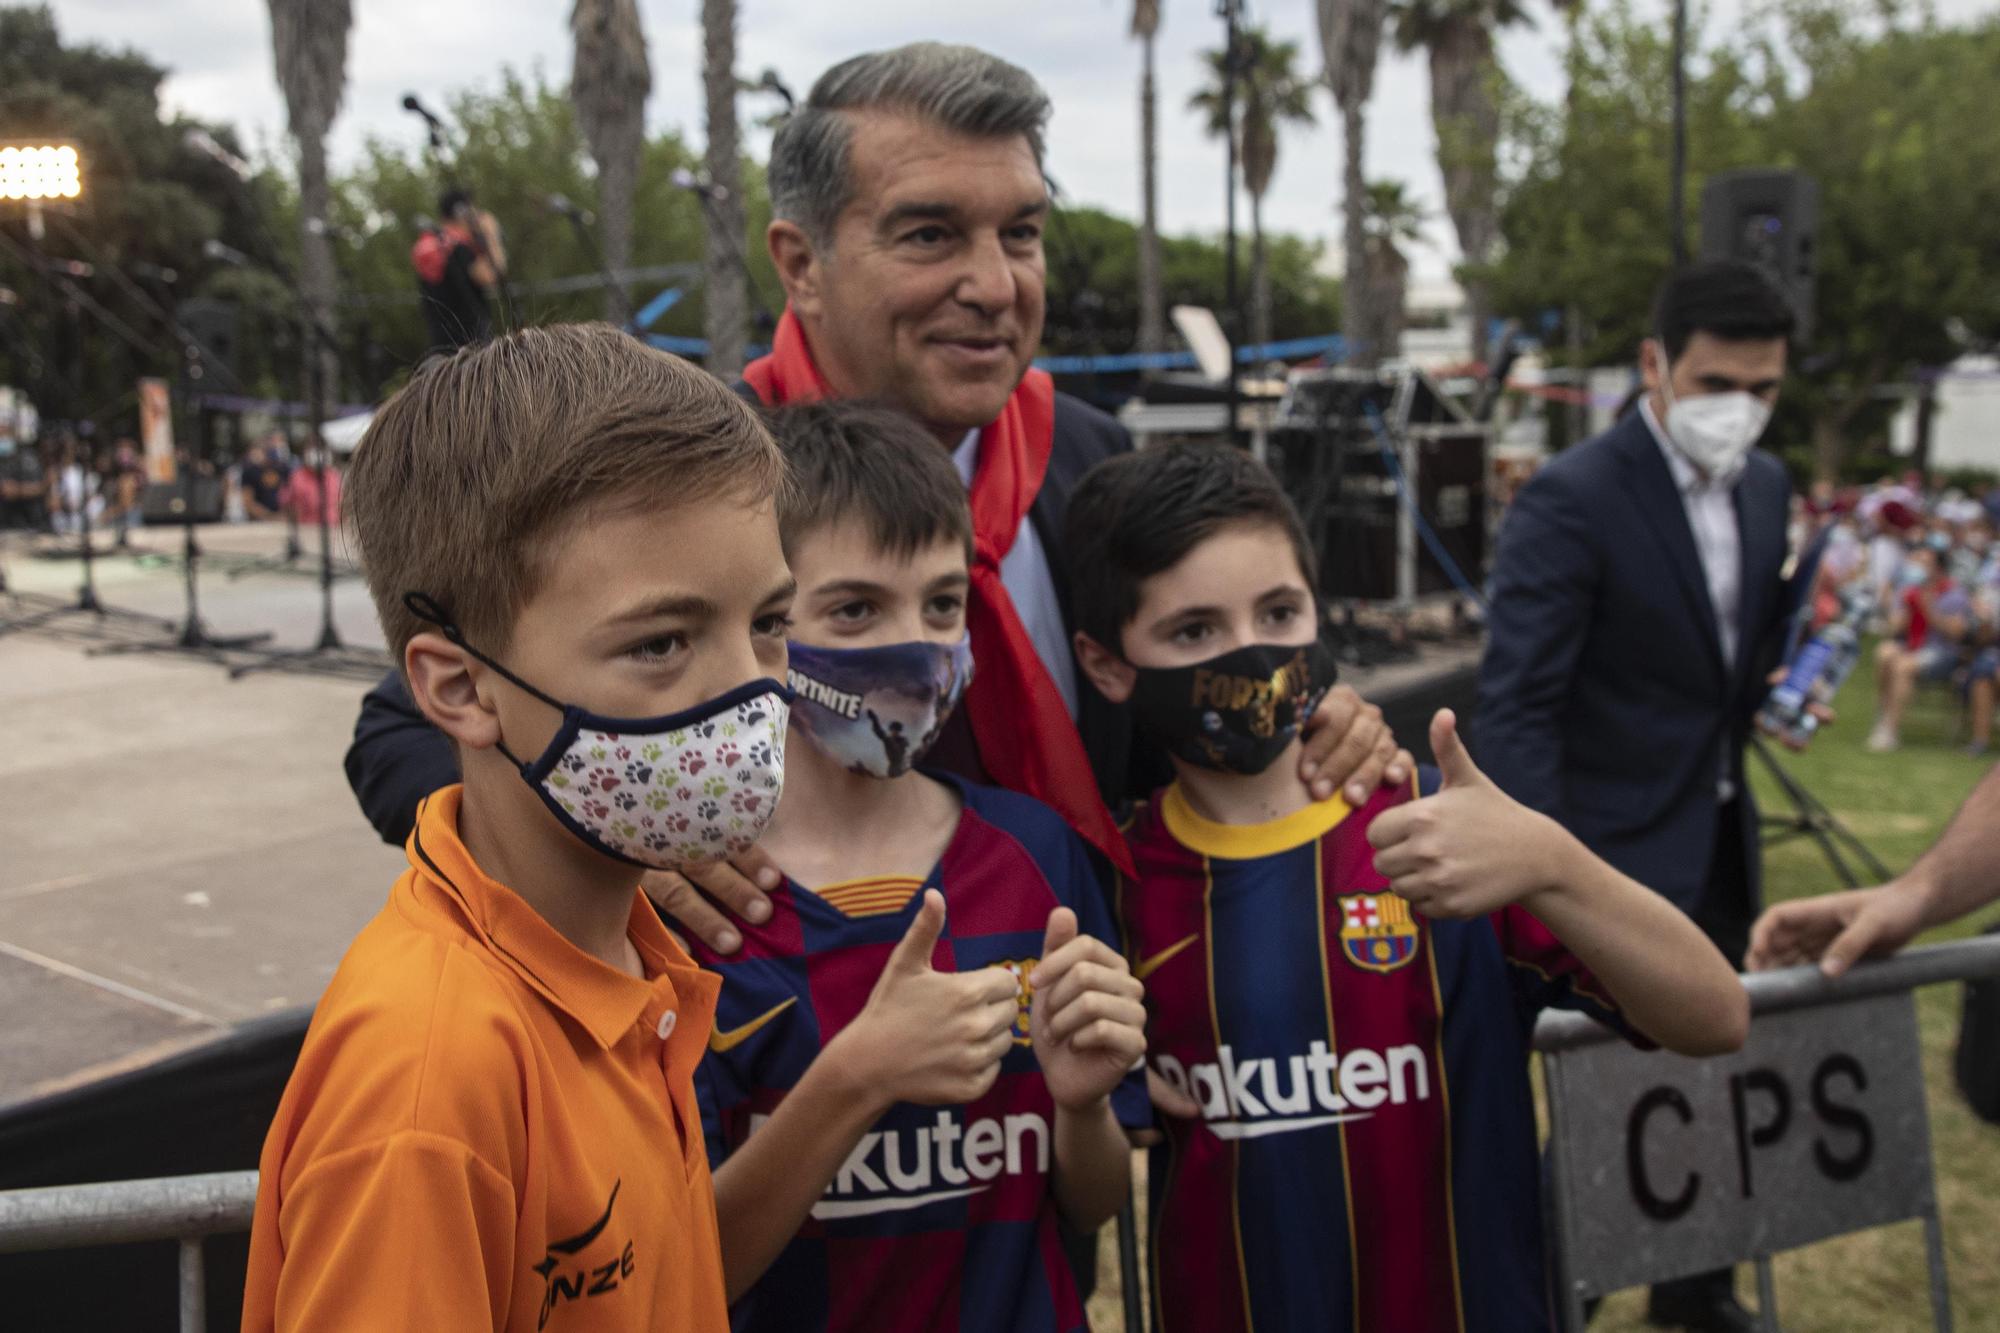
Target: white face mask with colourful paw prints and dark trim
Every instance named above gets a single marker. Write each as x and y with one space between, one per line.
659 792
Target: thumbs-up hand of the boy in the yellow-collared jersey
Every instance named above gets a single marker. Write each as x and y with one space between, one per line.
1471 850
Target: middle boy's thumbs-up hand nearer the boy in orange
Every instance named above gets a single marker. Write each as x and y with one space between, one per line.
925 1036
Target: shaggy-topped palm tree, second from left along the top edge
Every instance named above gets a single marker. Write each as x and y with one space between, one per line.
609 85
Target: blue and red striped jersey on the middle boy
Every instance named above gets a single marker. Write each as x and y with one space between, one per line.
943 1220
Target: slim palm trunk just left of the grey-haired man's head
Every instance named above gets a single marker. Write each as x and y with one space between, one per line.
727 299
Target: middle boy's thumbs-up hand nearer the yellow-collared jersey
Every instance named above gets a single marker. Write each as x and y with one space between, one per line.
1087 1018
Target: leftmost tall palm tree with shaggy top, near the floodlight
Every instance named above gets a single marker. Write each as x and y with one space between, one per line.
311 45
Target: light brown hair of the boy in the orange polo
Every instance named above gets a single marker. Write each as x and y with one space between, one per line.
475 471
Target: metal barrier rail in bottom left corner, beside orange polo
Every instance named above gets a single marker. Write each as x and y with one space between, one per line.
185 1208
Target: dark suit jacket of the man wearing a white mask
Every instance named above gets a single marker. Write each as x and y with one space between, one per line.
1605 700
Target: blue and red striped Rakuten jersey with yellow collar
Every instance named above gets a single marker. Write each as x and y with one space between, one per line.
1367 1154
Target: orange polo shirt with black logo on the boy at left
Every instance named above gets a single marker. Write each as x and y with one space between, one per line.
491 1130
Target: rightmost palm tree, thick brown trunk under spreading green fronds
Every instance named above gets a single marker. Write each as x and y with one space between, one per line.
1465 81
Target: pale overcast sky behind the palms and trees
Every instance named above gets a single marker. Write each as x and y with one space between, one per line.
219 55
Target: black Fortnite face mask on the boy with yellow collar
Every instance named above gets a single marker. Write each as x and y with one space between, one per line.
1235 714
